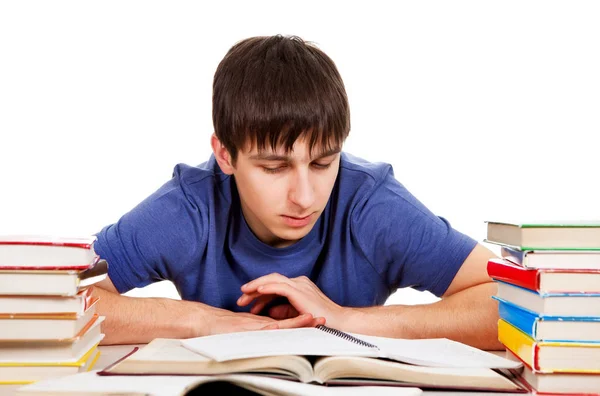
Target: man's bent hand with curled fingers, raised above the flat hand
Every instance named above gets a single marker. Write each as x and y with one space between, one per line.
304 297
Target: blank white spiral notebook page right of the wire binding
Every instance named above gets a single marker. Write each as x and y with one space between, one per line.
437 352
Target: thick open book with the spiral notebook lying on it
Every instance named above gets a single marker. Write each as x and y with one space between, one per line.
336 361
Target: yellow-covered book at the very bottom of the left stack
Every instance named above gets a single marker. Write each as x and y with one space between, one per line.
25 373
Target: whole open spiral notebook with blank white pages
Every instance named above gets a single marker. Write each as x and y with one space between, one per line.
325 341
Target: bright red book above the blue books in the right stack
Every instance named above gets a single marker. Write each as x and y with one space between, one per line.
545 281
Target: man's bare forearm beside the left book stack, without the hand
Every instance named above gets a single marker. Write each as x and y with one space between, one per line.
131 320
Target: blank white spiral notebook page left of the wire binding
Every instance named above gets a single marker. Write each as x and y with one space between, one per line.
306 341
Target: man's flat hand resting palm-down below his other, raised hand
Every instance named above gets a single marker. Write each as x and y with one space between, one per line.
223 321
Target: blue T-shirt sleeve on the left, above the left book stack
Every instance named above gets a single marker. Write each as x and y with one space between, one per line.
155 240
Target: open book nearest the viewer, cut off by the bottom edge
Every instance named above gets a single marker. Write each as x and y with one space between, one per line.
90 384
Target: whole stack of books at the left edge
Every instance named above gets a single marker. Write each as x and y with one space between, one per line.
48 323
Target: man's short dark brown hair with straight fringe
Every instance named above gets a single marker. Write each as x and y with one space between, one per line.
270 91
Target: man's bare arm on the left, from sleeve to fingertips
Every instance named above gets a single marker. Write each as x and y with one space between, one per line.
131 320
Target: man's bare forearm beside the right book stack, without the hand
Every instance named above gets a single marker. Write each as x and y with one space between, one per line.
469 316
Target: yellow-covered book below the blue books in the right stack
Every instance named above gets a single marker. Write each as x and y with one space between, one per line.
550 357
